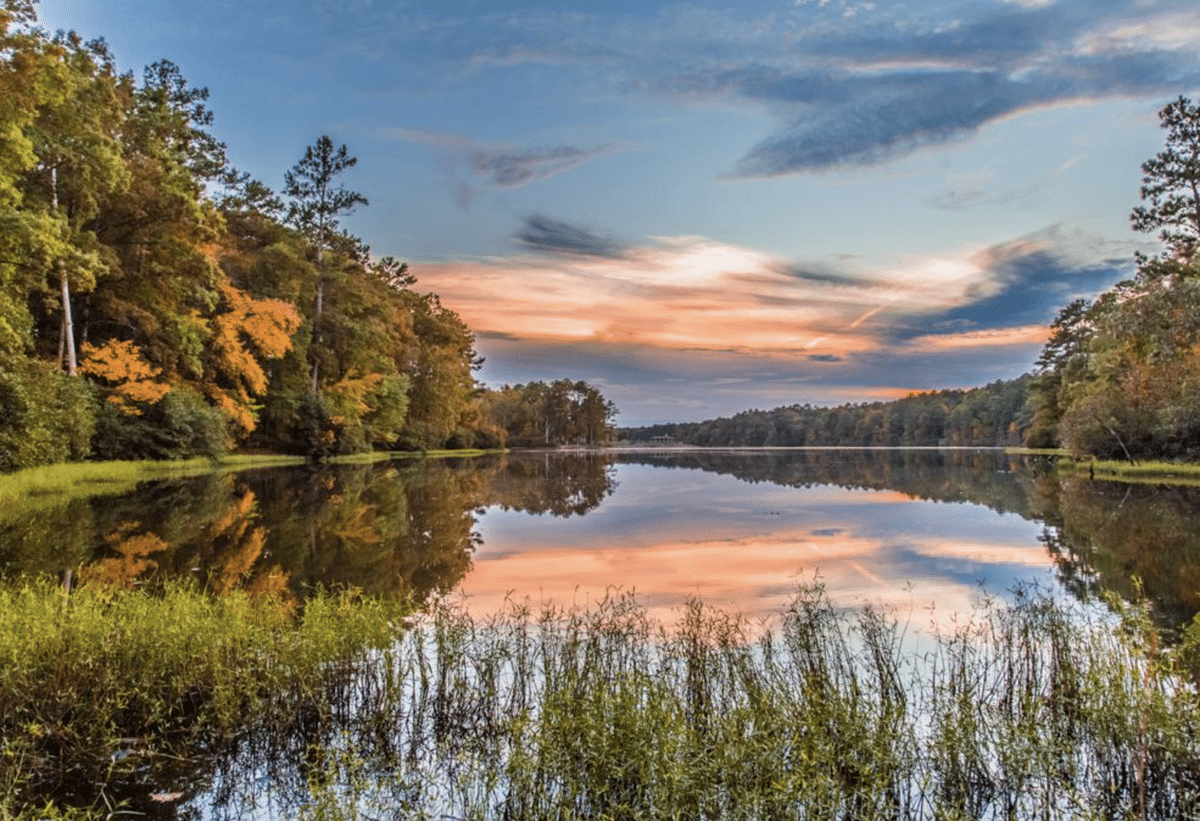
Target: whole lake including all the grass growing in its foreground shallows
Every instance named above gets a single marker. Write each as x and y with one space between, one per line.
645 636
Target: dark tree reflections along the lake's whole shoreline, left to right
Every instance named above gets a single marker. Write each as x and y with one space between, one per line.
410 529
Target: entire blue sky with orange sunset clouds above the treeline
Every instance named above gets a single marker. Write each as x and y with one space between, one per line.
709 207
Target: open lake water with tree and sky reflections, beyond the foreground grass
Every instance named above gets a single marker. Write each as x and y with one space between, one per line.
909 530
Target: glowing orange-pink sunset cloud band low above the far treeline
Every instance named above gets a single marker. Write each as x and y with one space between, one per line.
692 292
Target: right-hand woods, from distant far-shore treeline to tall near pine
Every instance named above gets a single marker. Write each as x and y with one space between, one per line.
1119 379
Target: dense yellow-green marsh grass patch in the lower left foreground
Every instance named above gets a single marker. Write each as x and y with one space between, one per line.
98 684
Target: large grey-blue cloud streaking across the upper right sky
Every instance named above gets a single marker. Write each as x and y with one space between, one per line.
861 83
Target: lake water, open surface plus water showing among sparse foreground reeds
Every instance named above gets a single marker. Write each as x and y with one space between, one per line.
923 536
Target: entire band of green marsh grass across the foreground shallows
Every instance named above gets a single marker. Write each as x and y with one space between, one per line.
1023 711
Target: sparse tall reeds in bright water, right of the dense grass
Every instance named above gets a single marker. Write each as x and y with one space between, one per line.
1024 711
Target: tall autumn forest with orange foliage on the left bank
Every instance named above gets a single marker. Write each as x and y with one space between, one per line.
157 303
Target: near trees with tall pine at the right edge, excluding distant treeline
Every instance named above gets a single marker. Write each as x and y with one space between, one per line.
1120 377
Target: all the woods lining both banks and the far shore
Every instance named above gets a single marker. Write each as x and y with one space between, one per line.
158 303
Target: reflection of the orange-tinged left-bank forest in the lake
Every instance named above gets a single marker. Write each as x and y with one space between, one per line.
397 529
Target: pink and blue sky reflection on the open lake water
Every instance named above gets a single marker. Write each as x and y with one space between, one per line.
674 535
